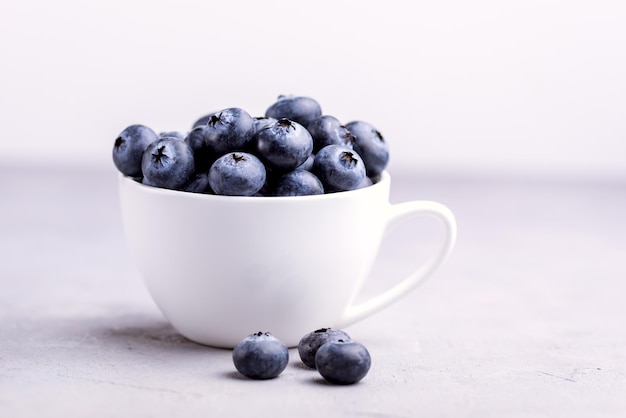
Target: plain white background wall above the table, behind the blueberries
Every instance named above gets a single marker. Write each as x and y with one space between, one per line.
497 87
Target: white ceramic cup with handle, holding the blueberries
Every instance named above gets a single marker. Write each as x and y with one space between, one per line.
223 267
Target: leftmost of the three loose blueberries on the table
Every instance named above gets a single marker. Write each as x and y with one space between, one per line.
260 356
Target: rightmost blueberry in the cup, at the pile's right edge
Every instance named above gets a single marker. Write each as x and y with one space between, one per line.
371 146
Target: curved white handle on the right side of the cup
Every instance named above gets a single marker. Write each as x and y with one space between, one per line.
399 213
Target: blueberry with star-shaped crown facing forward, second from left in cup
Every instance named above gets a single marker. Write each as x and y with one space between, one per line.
168 163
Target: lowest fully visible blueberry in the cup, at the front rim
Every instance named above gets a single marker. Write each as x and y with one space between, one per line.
237 174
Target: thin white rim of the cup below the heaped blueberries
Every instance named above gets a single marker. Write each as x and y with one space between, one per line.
384 180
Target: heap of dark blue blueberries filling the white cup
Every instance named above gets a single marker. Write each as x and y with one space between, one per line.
293 150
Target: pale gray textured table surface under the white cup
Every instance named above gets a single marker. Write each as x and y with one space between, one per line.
526 318
